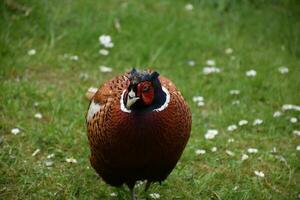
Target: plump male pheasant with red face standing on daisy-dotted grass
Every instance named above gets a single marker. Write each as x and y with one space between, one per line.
138 126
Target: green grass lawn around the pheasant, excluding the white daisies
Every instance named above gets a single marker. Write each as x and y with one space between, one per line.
163 35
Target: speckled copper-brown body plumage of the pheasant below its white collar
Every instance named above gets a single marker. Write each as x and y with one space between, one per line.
126 147
